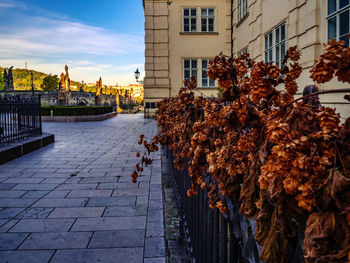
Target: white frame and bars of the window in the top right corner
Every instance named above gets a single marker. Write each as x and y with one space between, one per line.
336 14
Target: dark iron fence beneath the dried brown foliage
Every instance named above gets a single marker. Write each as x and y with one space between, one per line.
211 237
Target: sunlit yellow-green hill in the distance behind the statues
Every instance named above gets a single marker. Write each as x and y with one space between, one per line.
22 79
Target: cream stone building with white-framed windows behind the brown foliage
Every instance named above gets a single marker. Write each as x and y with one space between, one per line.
181 36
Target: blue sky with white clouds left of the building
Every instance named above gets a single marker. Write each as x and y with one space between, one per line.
93 37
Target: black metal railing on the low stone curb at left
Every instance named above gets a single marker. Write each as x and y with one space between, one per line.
20 117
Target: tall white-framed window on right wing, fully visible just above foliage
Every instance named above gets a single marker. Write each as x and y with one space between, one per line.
276 52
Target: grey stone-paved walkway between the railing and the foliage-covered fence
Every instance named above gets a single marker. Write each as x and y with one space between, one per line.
73 201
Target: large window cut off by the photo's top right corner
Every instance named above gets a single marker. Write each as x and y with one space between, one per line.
338 16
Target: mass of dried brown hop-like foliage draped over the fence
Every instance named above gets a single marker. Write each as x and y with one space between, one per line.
282 160
